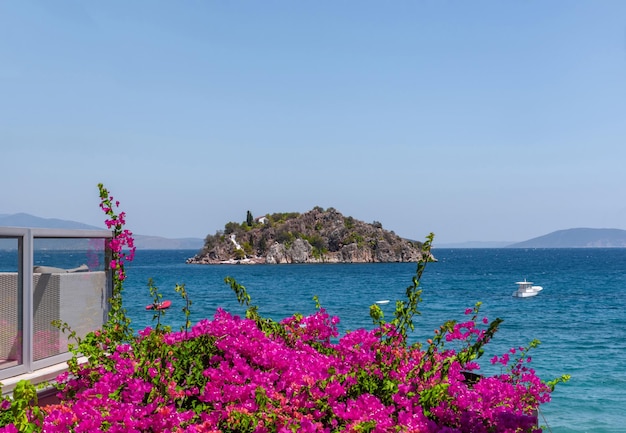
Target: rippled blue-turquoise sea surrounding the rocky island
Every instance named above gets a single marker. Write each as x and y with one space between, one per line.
579 316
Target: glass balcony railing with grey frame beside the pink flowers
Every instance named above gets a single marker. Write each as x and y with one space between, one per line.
49 276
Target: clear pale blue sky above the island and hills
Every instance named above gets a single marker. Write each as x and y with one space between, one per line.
476 120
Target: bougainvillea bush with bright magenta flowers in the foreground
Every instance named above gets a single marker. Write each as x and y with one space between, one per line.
252 374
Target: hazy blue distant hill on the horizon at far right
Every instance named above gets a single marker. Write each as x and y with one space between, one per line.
577 238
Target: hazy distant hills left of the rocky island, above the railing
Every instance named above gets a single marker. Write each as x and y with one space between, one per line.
142 242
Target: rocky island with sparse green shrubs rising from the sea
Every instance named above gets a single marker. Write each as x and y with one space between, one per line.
317 236
